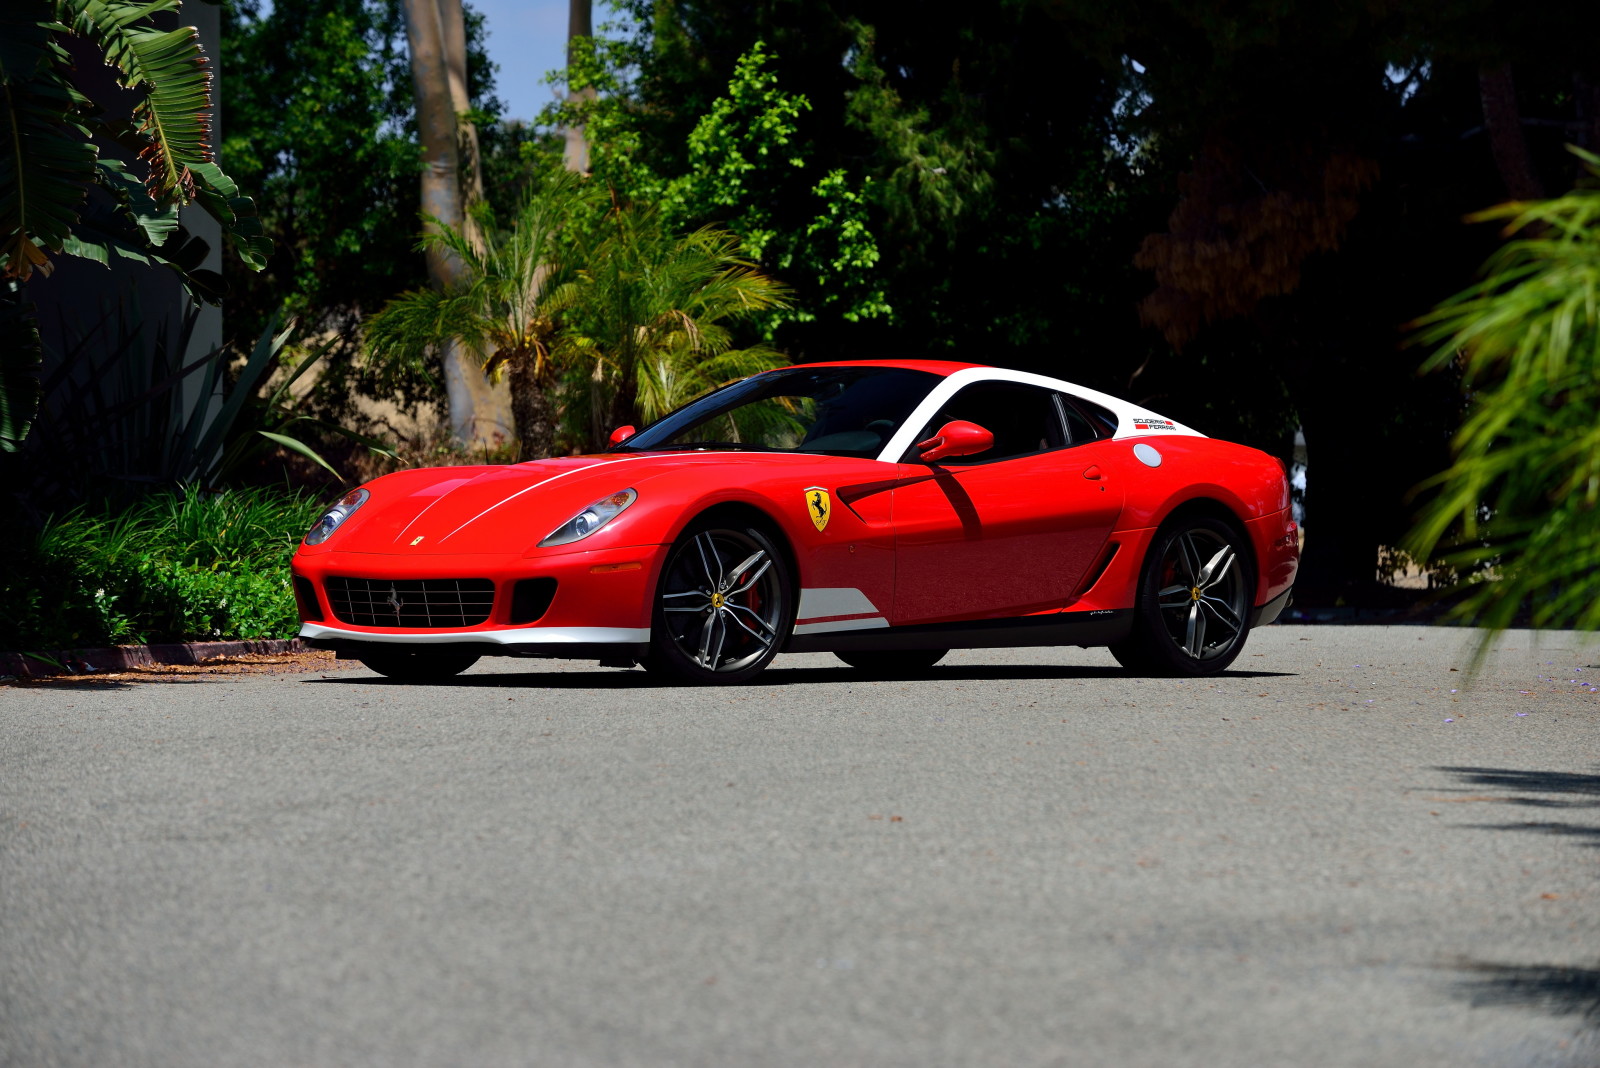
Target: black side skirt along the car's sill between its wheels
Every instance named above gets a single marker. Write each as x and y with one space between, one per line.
1063 629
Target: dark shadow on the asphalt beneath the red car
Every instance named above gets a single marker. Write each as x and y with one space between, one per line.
633 679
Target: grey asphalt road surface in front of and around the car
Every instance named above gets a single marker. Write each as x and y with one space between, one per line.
1340 855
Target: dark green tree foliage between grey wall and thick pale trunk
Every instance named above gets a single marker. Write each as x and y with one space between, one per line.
319 102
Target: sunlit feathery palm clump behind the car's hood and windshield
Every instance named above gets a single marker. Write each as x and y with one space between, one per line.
601 317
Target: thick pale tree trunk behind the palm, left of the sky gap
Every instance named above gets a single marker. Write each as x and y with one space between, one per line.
479 413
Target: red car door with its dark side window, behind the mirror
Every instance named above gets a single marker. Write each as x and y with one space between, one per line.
1010 532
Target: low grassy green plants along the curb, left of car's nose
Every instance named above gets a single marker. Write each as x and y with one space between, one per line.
178 567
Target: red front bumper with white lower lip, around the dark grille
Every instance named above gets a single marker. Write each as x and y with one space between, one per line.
601 607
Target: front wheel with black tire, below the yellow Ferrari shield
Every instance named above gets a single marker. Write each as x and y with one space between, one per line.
724 607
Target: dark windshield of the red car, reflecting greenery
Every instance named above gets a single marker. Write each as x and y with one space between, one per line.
838 412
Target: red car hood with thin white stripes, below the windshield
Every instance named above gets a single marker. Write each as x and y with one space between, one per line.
511 509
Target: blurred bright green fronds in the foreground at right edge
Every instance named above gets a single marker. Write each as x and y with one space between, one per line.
1521 506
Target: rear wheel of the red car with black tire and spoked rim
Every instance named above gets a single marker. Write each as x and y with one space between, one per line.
1194 600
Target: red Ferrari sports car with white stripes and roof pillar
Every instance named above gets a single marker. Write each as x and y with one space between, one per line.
882 511
